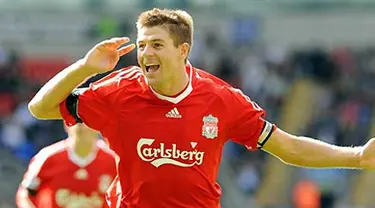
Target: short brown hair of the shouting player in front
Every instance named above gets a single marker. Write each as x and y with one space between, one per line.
178 23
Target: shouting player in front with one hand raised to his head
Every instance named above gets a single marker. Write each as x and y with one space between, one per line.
168 121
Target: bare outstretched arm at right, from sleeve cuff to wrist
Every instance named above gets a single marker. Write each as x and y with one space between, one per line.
309 152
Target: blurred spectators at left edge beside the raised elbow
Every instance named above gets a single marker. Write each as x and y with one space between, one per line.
20 133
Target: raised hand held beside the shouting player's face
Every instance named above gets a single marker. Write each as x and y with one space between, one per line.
104 56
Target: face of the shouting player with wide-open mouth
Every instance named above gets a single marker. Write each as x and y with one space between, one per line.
157 54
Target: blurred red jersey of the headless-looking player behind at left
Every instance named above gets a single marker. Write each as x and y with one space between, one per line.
57 177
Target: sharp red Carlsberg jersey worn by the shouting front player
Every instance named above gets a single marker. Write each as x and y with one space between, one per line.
169 147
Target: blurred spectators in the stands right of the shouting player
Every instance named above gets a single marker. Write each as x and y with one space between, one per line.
345 104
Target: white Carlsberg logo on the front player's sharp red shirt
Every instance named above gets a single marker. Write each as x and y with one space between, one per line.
160 155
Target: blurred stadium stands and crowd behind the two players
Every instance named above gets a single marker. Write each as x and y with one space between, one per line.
310 64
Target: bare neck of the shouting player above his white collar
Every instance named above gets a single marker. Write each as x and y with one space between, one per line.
175 85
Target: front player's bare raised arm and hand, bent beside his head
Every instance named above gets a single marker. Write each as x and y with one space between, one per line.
101 58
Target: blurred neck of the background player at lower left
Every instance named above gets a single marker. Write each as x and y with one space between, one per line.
83 146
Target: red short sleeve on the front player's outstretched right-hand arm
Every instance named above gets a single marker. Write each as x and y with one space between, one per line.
247 124
